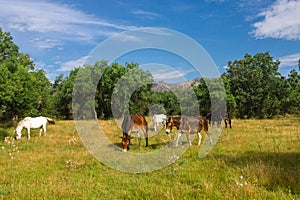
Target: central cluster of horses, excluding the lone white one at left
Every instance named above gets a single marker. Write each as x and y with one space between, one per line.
183 124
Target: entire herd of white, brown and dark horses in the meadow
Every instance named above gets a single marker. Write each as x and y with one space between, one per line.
184 125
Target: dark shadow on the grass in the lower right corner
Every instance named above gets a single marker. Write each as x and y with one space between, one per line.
271 169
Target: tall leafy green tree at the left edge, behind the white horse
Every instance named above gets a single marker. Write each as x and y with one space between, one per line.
23 90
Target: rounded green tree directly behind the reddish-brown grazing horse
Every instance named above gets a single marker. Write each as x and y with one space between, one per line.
130 90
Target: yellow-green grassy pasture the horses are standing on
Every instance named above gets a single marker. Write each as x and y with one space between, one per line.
256 159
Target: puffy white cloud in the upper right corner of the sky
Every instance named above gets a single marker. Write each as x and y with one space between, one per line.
280 20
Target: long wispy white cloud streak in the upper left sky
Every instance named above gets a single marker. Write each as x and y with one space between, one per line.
54 22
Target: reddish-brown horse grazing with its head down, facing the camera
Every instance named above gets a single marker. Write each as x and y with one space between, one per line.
131 122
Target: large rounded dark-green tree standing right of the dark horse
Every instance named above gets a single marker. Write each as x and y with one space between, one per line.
256 85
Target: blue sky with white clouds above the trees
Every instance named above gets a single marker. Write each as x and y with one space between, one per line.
60 34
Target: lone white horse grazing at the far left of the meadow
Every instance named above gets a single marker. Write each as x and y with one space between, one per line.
34 123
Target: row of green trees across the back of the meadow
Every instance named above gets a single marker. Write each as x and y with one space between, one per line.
254 88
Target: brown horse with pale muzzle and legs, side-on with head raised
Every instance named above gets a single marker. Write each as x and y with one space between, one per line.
188 125
